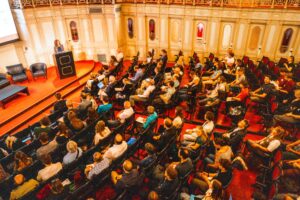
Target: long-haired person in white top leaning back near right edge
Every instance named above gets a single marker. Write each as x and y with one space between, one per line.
268 144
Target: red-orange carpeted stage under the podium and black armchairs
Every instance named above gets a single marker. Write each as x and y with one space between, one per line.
41 91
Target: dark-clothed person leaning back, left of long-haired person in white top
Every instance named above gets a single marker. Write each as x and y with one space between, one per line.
235 136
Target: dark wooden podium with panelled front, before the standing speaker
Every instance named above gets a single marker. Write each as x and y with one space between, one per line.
65 66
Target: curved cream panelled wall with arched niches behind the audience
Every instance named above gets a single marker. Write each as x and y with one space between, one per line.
175 27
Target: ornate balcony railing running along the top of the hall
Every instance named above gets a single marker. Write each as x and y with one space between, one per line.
289 4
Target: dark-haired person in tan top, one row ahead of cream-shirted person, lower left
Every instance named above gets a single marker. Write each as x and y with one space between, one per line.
46 145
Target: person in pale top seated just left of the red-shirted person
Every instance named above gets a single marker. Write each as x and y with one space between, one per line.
212 96
